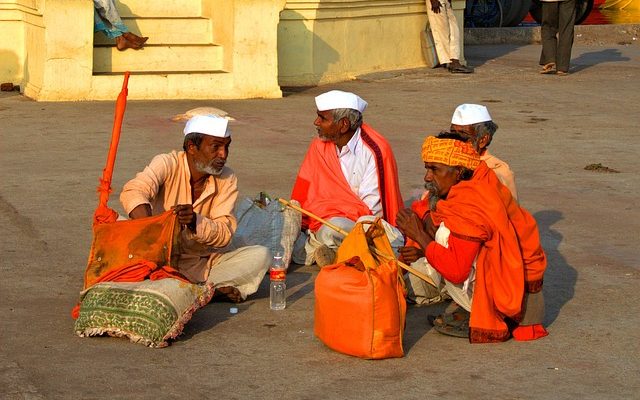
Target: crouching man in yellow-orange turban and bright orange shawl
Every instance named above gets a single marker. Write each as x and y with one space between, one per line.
482 248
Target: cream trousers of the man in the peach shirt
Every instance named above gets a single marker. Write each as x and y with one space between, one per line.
242 269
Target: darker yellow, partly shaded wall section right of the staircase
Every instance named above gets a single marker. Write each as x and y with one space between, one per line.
332 40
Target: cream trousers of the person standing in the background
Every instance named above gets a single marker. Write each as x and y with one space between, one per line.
446 34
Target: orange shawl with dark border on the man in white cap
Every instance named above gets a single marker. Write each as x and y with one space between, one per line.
322 189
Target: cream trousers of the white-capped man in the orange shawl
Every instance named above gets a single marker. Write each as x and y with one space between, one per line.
332 239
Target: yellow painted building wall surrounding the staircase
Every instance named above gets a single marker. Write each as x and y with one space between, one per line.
46 46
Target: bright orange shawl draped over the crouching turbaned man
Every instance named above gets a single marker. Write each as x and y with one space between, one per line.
511 260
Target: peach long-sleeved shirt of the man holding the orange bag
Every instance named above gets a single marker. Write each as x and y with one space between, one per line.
165 183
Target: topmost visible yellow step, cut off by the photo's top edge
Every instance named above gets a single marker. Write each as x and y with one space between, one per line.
164 8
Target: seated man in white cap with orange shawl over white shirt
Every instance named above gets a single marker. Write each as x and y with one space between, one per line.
348 172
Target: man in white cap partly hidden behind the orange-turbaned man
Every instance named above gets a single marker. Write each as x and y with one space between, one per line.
474 122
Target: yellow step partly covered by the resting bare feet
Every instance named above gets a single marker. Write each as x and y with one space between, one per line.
194 30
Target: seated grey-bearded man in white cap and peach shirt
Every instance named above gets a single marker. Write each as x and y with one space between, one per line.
202 191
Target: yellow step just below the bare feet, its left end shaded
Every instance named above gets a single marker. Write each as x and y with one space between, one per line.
158 58
